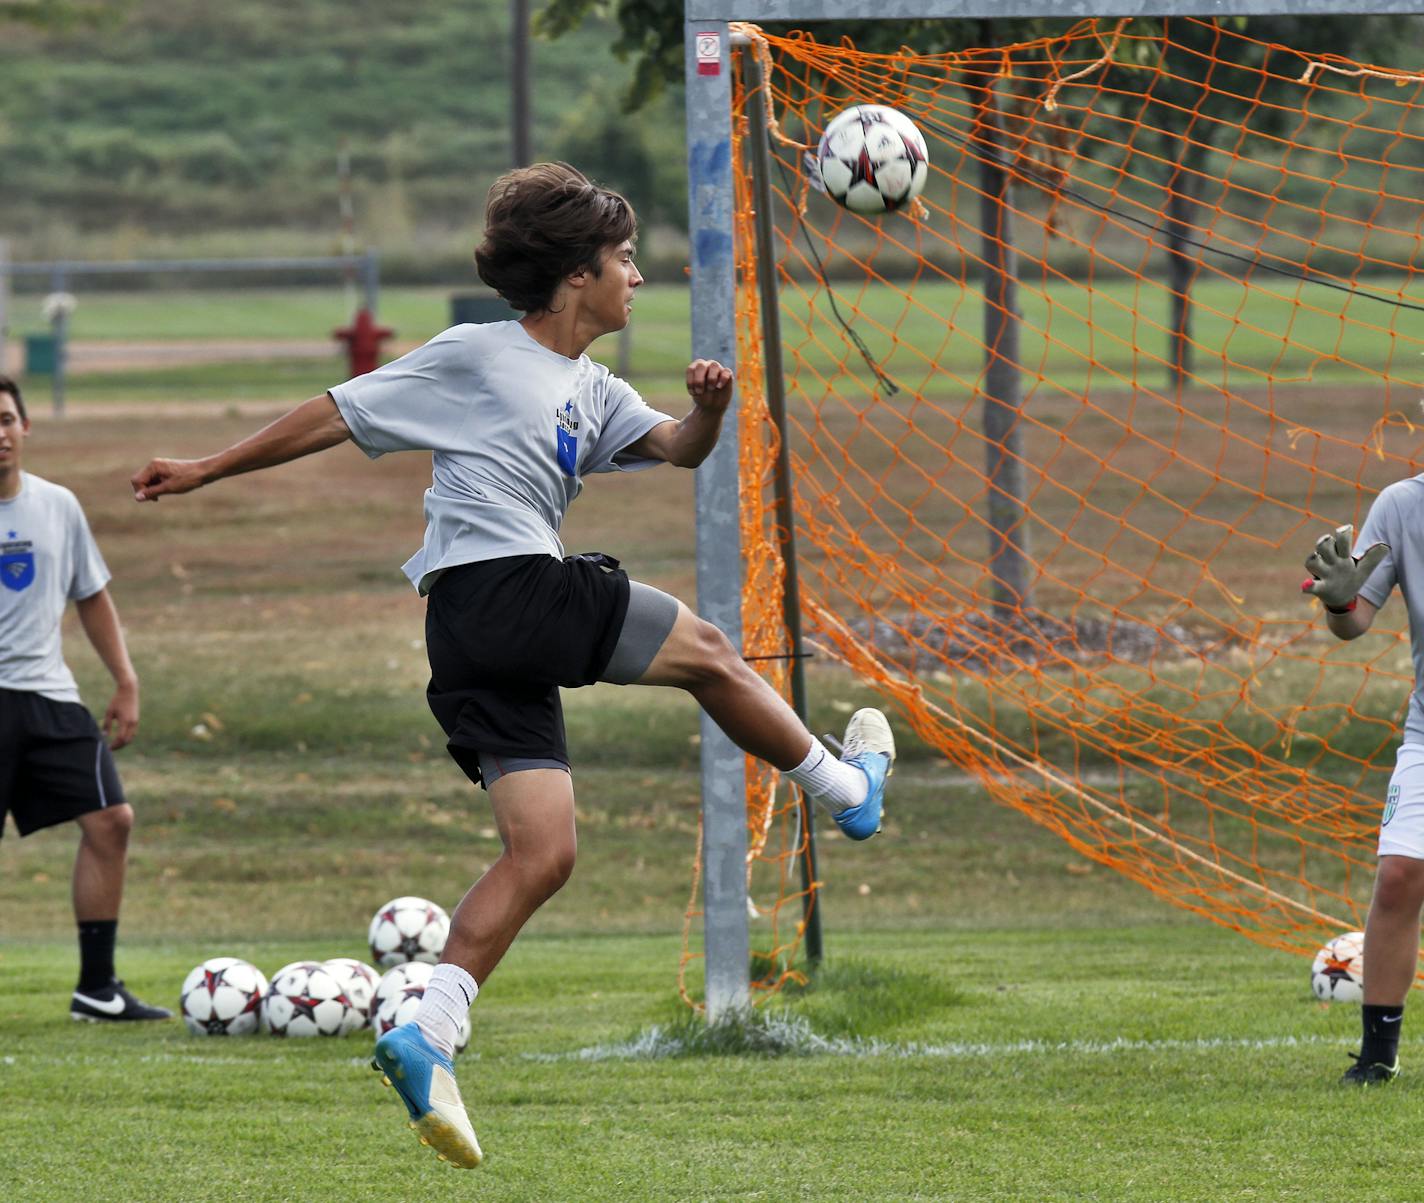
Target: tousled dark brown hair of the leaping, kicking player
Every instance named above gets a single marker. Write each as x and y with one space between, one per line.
543 224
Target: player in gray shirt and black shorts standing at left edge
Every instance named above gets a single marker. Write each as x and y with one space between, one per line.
55 762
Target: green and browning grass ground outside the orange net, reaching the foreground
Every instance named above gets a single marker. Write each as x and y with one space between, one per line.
996 1020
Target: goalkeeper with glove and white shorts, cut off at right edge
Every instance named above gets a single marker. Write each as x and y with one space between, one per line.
1352 584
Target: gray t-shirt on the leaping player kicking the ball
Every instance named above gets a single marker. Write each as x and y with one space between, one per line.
513 426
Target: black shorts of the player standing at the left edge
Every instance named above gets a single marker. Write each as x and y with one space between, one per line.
55 764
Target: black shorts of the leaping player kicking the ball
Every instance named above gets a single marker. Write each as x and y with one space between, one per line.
503 636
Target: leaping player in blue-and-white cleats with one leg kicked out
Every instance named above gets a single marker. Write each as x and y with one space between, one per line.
518 415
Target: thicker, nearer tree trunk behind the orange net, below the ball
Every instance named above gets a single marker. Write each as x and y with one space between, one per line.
1003 379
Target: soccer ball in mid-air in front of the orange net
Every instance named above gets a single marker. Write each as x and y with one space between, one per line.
872 159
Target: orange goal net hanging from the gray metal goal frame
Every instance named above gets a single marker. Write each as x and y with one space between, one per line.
1063 435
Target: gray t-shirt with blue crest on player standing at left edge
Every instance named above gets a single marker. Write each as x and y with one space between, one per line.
48 559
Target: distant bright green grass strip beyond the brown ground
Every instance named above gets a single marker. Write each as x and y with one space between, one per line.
1110 335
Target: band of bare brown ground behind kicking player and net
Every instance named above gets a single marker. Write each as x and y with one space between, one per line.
1203 503
